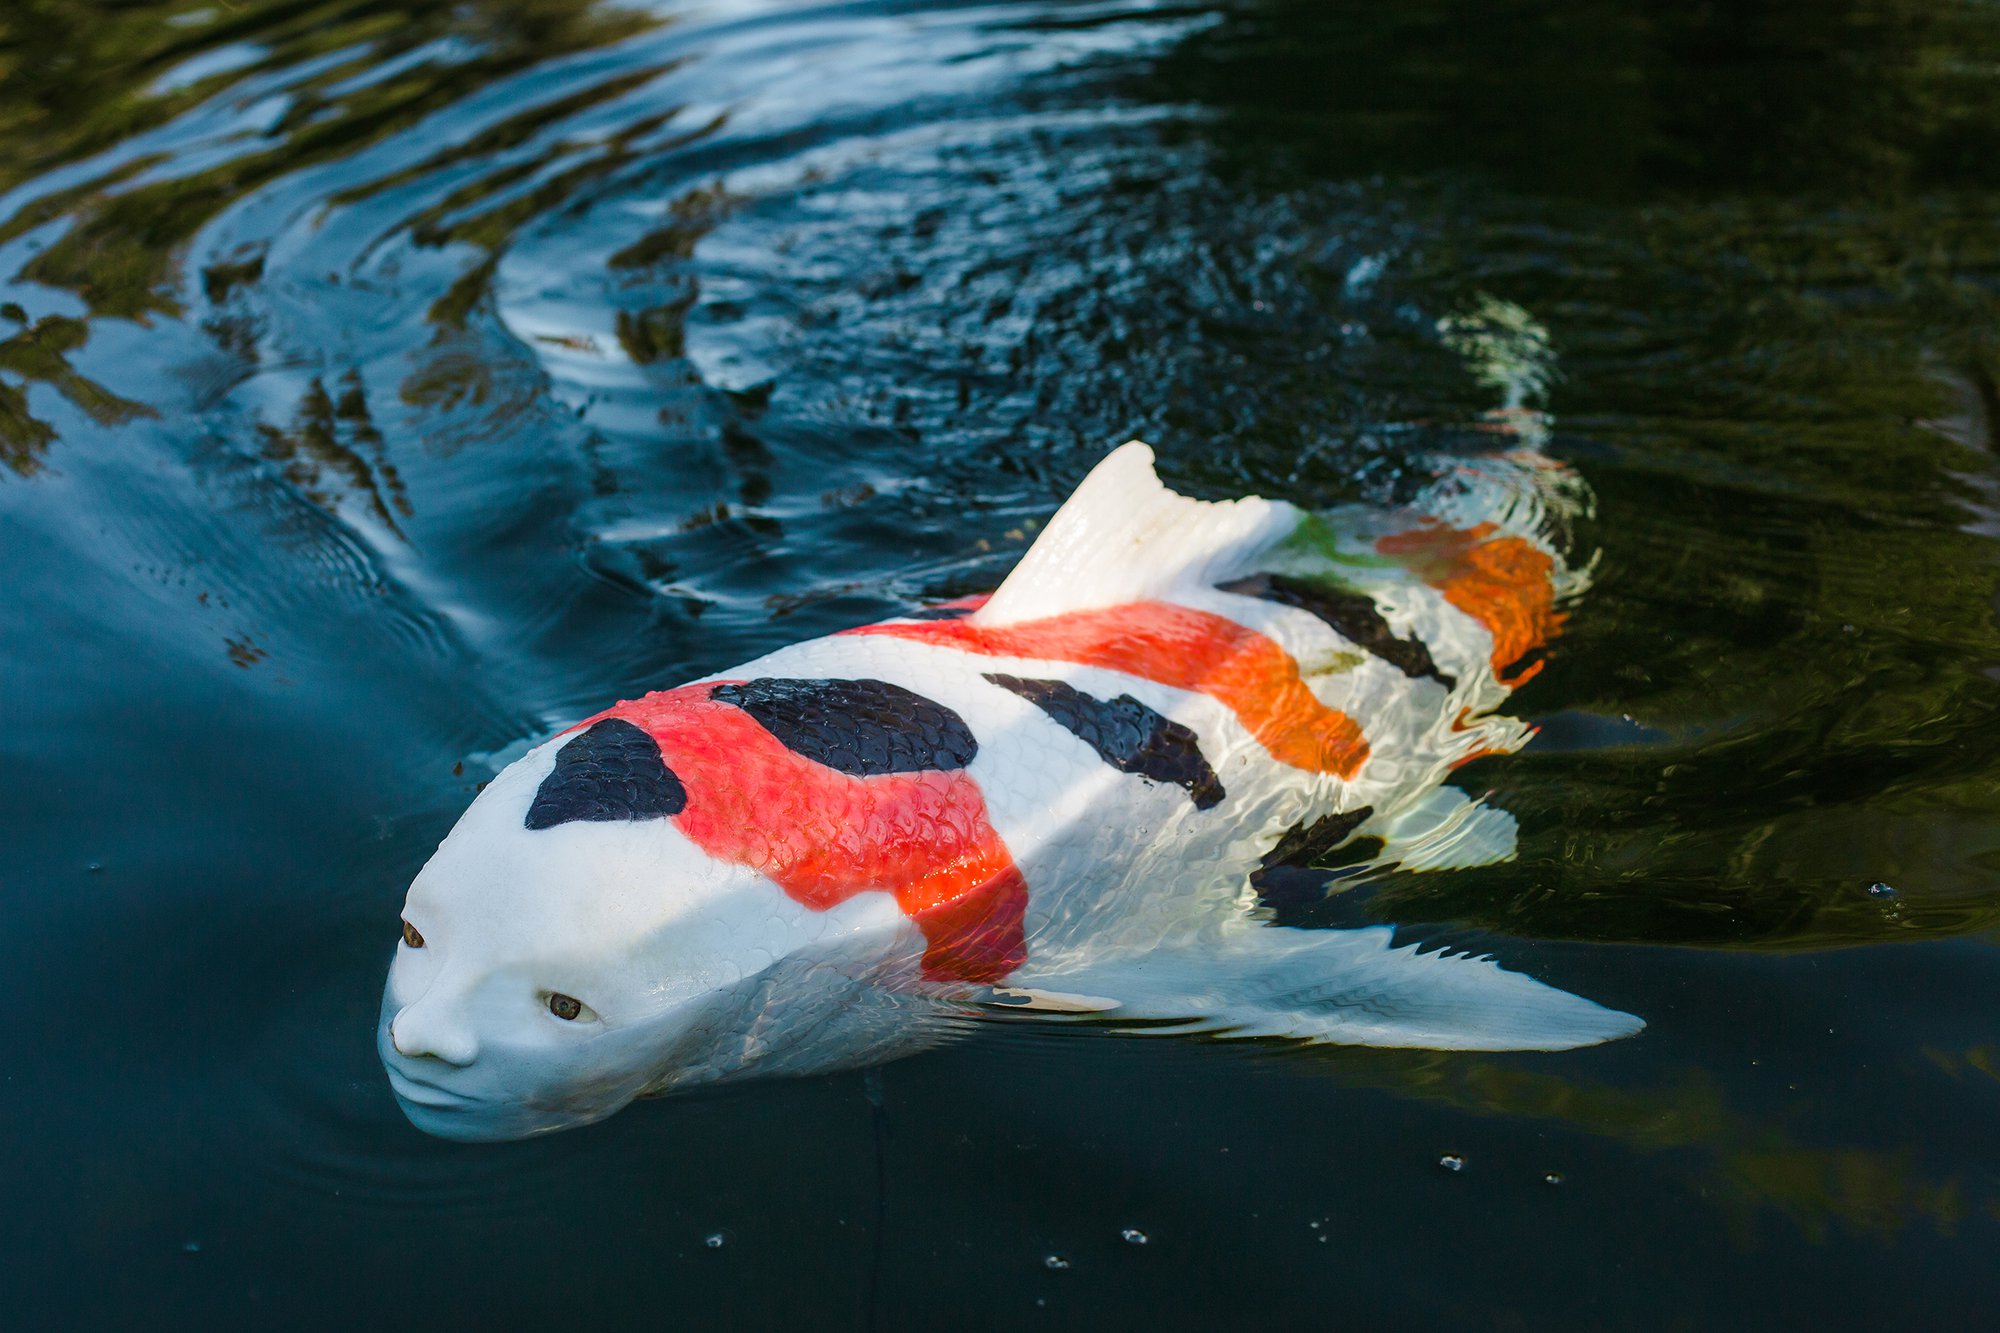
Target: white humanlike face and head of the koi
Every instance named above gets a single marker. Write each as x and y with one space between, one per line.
553 972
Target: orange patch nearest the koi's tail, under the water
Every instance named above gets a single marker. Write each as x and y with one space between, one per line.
1505 583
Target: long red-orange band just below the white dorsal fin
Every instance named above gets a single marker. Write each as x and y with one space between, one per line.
1185 649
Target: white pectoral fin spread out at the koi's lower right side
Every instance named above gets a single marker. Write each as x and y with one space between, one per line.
1345 988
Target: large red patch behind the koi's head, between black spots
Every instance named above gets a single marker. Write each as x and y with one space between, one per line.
825 836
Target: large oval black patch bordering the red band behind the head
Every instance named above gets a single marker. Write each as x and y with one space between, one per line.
859 728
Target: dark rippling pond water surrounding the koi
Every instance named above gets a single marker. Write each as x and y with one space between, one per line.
387 385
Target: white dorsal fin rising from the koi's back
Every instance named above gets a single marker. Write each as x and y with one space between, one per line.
1125 537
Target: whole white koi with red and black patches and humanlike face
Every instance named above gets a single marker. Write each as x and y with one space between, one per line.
1047 800
